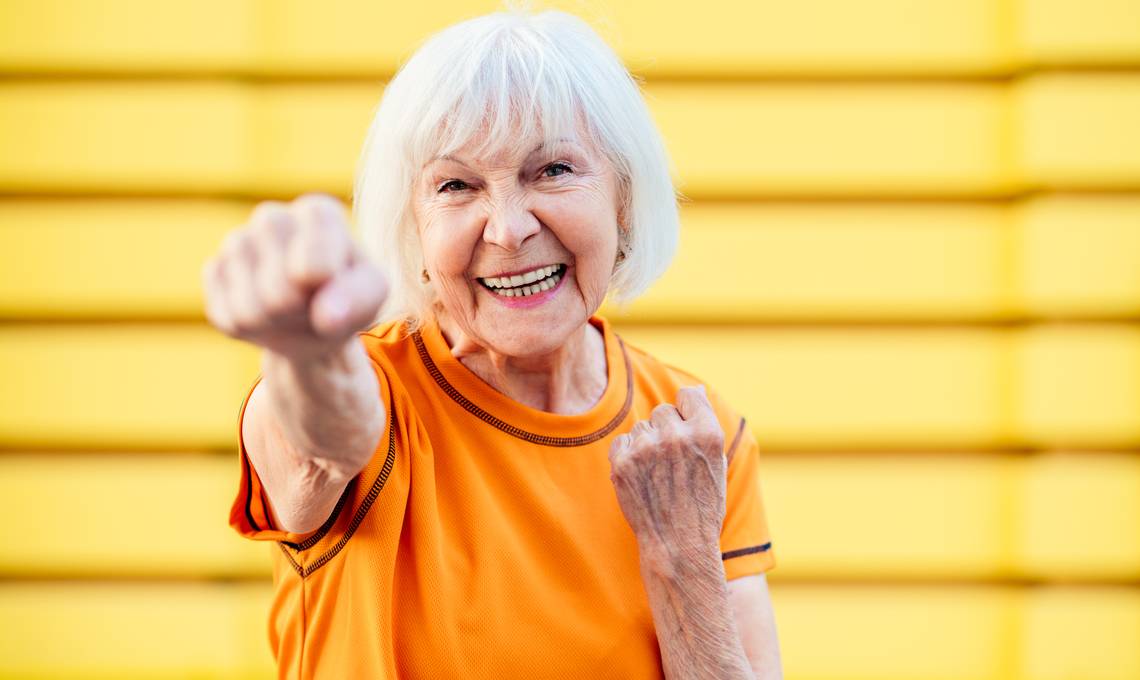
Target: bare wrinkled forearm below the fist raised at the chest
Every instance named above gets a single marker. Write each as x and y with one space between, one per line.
693 614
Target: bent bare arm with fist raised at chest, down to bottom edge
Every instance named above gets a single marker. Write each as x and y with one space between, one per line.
670 476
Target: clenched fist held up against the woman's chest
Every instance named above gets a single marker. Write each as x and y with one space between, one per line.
670 474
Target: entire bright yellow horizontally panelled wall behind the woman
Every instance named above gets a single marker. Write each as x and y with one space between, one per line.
915 229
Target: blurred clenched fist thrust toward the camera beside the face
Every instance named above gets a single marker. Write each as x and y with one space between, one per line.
292 280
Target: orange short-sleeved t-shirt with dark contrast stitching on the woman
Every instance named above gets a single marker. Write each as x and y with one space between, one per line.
484 540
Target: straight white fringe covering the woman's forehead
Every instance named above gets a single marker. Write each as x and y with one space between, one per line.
508 90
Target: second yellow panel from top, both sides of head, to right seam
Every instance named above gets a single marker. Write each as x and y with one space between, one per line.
728 140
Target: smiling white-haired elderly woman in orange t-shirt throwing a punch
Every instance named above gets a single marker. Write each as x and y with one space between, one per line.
467 472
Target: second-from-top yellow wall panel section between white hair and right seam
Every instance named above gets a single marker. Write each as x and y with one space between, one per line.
845 140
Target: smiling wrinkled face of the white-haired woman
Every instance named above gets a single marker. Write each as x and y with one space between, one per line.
520 244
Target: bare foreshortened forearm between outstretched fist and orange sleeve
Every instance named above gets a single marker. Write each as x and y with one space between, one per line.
328 409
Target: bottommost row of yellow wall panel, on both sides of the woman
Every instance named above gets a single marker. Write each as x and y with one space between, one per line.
930 633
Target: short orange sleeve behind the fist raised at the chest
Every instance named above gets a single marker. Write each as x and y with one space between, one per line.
746 544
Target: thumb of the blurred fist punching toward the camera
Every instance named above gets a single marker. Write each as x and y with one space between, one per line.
351 302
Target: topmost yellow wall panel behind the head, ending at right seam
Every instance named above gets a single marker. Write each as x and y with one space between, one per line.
346 38
